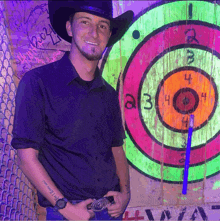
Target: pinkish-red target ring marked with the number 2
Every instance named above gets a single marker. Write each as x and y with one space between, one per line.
175 36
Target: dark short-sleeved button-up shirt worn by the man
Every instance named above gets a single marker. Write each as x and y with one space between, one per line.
74 126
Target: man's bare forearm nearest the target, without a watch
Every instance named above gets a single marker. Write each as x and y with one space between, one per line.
122 169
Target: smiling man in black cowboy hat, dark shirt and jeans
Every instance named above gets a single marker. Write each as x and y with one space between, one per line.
67 127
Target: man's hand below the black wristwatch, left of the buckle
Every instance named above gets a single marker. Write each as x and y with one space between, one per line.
78 211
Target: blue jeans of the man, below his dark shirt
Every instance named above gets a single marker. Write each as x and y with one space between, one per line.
102 215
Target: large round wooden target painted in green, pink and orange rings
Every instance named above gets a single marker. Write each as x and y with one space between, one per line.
171 70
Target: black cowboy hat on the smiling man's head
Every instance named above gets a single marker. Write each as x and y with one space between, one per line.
59 12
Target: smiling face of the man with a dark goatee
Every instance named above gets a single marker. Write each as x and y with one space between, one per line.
90 34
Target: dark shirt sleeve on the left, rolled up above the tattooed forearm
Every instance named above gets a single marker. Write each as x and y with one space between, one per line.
29 120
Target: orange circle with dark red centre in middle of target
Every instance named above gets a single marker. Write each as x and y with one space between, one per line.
182 92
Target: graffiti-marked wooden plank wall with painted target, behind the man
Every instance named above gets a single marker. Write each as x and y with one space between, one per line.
168 48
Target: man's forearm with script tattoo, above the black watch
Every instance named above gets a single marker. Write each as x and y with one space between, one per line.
39 177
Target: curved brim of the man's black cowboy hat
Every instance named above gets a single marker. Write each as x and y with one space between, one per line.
58 19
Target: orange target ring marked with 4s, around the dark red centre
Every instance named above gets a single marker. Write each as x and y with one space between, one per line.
186 79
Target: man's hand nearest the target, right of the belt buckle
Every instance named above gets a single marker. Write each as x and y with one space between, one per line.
121 201
